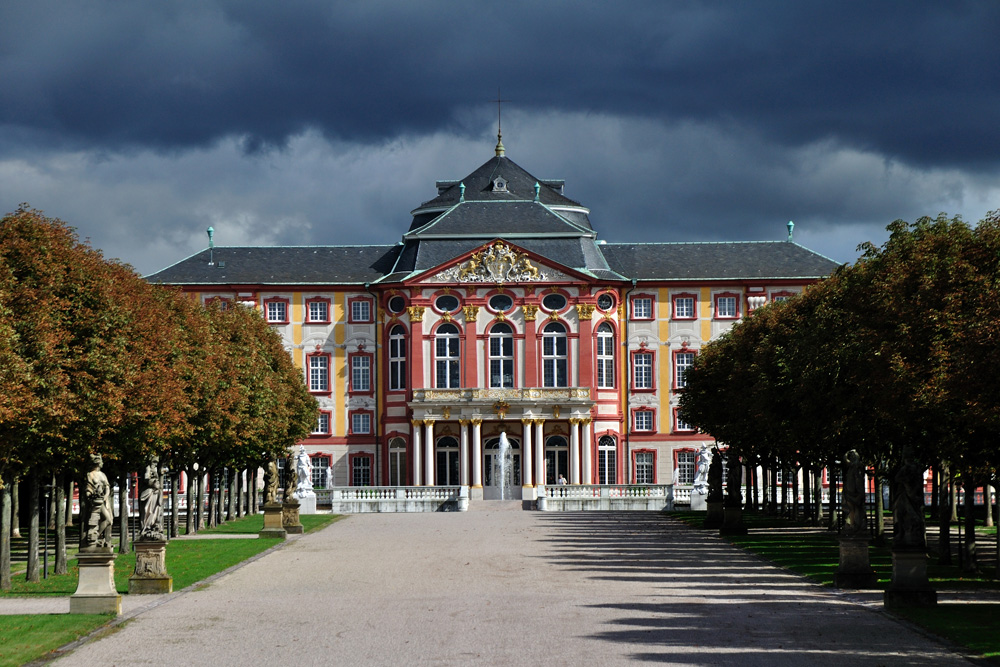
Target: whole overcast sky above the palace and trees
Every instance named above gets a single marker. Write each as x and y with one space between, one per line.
318 122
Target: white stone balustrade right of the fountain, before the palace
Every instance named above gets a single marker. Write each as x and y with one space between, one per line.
606 497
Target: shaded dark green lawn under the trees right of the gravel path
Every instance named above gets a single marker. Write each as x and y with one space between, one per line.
814 553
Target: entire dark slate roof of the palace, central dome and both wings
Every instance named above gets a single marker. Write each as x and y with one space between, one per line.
446 227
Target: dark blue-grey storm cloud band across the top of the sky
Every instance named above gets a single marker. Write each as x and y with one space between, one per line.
911 80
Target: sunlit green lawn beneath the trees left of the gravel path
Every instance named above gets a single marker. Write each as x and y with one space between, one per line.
24 638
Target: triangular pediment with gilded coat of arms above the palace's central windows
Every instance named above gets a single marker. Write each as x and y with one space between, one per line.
500 262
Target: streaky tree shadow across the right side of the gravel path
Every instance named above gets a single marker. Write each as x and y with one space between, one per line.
709 603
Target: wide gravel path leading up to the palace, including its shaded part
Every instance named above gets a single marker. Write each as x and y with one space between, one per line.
500 586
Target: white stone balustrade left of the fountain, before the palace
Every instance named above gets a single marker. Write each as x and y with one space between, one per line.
362 499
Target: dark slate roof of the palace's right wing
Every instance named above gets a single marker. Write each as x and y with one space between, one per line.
723 261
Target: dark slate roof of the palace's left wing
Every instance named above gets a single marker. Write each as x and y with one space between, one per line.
298 265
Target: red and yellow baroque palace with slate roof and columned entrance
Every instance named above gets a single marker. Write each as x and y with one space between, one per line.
500 311
